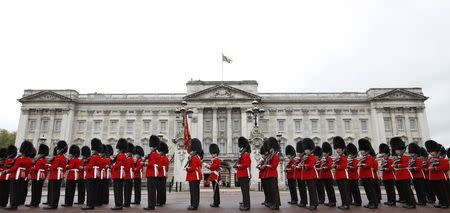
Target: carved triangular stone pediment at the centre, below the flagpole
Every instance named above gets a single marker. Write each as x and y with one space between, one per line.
222 92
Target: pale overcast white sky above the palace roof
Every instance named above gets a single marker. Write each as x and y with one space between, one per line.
287 46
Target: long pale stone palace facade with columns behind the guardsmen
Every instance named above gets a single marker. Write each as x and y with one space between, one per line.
219 116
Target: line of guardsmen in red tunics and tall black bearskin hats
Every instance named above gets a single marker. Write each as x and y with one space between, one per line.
311 169
